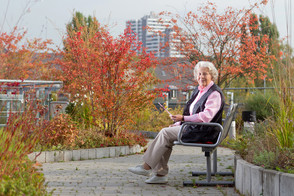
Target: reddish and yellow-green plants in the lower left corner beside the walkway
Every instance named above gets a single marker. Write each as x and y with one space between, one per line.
17 173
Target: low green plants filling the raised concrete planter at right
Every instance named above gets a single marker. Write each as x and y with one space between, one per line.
263 148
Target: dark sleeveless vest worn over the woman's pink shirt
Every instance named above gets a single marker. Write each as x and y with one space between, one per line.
200 133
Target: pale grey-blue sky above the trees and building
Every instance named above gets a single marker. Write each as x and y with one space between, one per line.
47 19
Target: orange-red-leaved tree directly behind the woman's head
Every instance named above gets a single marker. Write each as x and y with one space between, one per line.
224 39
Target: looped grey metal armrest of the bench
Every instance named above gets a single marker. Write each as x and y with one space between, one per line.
199 144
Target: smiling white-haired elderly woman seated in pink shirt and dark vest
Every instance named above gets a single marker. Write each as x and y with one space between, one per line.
205 105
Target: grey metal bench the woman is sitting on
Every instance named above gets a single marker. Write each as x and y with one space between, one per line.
208 149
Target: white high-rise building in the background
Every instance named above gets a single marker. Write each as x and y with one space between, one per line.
154 33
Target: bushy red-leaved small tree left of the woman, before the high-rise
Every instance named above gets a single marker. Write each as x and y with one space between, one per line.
105 74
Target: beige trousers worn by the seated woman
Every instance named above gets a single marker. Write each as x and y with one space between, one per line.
159 151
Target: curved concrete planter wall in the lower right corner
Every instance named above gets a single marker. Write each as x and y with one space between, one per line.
255 181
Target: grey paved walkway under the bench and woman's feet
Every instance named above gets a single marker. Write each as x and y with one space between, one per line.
110 176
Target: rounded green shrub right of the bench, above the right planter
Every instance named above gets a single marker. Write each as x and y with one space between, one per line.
265 105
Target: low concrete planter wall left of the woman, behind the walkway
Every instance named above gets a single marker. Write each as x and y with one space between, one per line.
84 154
